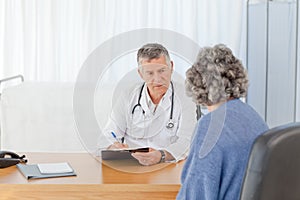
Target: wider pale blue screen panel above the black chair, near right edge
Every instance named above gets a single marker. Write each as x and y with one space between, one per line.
281 63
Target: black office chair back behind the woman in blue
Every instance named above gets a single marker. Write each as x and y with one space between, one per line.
273 171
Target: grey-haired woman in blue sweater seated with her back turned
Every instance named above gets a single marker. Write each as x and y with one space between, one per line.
223 138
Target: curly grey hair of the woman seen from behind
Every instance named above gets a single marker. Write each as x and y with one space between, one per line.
216 76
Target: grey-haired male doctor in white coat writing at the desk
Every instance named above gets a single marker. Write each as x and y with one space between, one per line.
155 113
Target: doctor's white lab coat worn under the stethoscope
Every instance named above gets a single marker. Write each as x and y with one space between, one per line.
149 129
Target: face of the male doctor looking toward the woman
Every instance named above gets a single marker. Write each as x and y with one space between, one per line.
157 74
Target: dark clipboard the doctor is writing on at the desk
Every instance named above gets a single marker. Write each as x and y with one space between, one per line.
121 154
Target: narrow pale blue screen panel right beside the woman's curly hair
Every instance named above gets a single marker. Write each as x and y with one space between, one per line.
257 55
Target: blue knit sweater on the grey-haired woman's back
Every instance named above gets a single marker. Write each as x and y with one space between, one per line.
216 164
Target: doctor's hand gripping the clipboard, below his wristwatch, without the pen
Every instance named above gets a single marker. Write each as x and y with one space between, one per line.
149 158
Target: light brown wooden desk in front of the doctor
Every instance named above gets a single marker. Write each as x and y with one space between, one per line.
93 181
